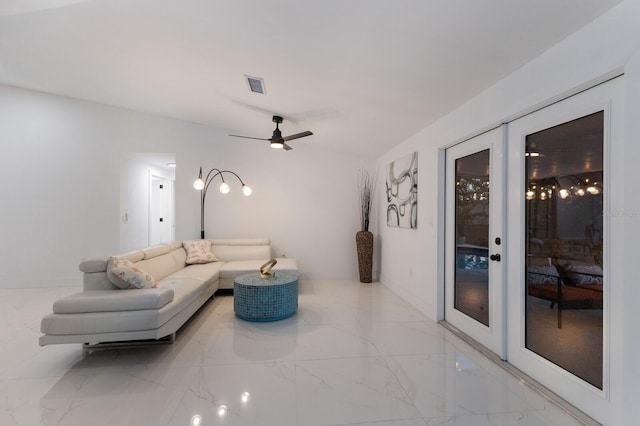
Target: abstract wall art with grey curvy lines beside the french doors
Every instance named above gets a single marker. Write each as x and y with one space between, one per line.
402 192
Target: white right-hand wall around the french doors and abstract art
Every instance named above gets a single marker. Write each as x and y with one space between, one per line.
410 263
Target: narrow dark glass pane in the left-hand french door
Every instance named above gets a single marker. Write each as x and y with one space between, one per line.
471 288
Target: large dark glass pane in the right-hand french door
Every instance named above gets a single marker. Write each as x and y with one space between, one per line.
564 246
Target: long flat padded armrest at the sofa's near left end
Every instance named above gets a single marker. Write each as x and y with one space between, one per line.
113 301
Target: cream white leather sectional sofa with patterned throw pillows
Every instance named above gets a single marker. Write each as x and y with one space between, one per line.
103 313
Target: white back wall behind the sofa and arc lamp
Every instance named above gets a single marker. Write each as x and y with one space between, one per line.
61 176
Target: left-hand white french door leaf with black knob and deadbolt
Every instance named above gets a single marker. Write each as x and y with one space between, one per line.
474 239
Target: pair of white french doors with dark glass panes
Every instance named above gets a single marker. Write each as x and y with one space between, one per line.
545 304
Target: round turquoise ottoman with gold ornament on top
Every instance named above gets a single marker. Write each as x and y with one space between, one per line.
272 299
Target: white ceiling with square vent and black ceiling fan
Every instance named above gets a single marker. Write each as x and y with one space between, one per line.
363 75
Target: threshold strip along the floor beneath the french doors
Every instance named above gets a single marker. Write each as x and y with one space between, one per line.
533 384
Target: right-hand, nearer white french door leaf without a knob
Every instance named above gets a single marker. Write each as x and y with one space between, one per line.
560 186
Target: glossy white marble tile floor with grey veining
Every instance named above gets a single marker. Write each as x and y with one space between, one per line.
354 354
